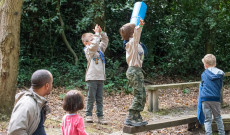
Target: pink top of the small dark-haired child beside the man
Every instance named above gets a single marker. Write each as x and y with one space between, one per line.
73 124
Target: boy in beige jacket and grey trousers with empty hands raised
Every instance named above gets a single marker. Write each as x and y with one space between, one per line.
95 46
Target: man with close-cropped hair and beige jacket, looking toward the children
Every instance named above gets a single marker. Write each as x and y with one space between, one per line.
29 113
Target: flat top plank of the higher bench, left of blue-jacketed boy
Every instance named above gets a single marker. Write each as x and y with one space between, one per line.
174 85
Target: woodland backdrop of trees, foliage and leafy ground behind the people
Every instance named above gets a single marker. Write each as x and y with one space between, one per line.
177 33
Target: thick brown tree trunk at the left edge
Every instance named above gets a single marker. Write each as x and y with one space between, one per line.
10 18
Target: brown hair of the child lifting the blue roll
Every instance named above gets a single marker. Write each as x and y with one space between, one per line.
127 31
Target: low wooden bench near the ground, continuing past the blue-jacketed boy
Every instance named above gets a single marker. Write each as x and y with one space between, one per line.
191 120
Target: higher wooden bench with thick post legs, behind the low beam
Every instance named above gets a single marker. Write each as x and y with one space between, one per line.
152 91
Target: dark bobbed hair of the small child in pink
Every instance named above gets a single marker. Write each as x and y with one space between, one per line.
73 101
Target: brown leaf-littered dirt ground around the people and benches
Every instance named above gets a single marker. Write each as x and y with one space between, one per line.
172 103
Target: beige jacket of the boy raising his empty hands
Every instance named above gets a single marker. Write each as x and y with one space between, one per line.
95 66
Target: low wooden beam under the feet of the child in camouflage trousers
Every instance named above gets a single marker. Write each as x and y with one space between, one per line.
161 124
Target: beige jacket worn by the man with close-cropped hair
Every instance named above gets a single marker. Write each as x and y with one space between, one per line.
25 116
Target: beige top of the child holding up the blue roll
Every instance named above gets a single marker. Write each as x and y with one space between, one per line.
134 51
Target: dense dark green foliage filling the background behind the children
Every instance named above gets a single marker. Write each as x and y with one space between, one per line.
177 34
